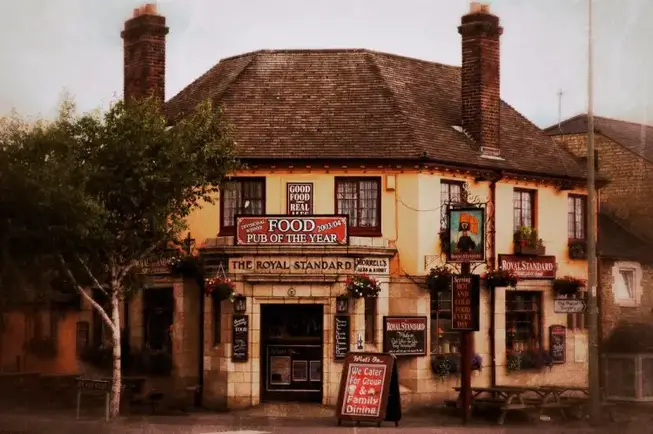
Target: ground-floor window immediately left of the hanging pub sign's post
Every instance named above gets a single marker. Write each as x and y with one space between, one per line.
443 339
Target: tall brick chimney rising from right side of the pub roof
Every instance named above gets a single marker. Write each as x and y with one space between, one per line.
480 31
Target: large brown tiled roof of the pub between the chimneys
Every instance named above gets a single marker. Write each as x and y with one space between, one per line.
355 104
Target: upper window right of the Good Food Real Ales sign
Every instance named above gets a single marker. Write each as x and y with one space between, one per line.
360 199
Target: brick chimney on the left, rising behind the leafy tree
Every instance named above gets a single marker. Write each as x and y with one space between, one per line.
144 42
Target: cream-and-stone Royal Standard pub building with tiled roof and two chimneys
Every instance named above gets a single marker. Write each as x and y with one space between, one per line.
354 159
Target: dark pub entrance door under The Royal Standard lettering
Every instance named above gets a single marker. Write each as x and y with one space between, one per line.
291 352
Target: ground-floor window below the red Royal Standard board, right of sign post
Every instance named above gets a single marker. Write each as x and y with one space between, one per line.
523 321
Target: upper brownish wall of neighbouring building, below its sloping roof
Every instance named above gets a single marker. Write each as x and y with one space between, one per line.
631 180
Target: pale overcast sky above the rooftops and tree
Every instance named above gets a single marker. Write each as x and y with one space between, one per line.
52 47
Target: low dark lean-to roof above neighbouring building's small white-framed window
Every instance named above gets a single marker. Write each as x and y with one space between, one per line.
617 242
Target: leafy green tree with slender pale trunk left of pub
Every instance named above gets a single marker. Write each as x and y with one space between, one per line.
97 194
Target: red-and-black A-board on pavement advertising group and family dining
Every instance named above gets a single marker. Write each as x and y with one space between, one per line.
369 389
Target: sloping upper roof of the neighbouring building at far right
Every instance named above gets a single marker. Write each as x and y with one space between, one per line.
638 138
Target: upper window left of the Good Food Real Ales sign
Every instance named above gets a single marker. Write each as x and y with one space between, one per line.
240 196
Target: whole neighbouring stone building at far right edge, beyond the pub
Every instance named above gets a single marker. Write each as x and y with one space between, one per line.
624 154
